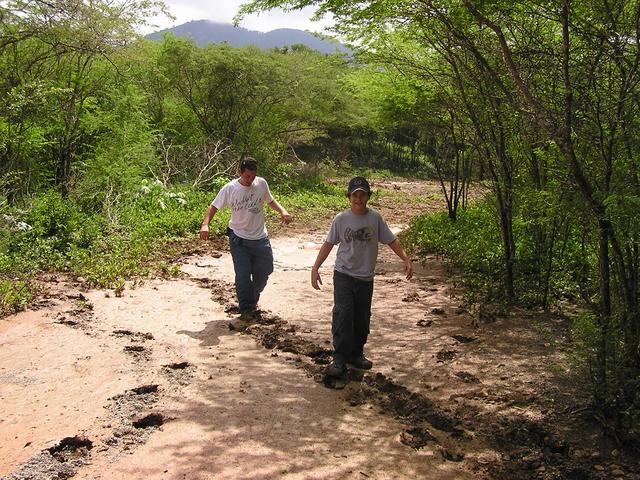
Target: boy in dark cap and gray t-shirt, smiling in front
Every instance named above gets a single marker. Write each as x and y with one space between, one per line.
357 232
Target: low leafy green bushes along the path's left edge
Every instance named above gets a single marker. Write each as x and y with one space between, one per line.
58 235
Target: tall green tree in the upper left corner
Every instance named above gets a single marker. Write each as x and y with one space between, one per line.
57 50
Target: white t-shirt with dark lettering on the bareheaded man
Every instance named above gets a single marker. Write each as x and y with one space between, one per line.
247 207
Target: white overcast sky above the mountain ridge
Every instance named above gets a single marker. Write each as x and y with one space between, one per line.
224 11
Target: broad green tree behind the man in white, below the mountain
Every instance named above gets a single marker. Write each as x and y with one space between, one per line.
245 100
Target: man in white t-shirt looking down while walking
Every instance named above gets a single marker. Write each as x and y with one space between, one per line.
248 241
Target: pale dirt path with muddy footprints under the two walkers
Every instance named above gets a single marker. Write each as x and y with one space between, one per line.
165 382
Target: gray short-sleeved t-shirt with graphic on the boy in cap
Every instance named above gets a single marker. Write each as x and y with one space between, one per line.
358 237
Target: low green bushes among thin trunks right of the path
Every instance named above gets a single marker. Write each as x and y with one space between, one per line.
473 244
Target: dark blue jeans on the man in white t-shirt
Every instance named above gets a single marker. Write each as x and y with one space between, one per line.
253 263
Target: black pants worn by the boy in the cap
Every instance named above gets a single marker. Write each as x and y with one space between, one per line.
351 316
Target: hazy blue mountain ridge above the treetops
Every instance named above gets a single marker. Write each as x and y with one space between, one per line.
203 32
